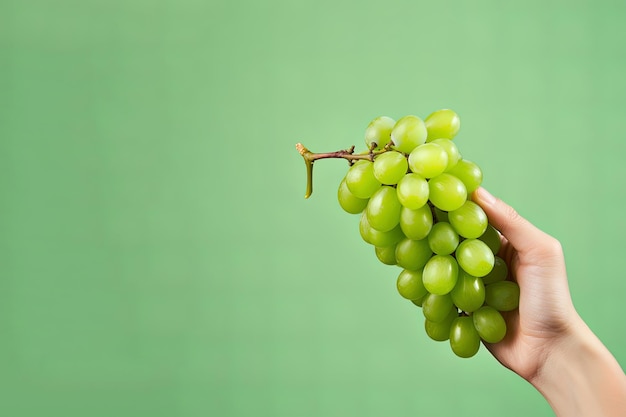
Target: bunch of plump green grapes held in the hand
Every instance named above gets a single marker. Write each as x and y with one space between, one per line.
413 193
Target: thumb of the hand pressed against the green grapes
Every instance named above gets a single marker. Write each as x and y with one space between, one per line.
517 230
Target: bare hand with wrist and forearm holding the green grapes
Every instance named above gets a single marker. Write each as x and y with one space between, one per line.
547 342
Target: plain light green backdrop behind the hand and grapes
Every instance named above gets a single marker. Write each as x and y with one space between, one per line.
157 257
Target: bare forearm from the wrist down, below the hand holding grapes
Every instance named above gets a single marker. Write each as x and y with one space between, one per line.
580 377
